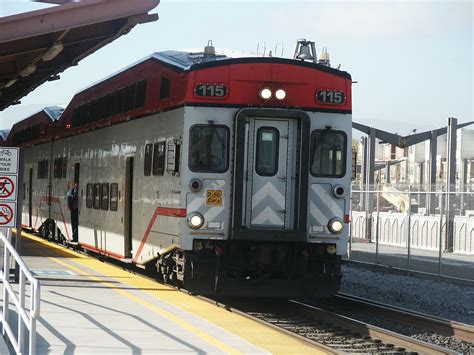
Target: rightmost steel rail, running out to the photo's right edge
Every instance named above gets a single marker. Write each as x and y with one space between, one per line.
442 326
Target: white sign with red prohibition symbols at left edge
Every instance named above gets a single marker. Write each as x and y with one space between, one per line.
9 163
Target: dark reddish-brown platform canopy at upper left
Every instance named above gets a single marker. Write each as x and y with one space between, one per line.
36 46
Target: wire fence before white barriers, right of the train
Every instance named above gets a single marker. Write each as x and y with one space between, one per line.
389 222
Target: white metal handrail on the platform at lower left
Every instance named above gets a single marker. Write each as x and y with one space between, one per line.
27 316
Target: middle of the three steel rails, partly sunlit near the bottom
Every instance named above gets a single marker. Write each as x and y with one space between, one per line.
374 332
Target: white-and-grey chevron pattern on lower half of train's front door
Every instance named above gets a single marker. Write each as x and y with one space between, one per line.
267 203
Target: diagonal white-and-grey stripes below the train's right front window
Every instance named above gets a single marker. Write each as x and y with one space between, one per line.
324 205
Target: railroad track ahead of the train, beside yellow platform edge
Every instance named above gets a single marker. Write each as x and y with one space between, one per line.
336 333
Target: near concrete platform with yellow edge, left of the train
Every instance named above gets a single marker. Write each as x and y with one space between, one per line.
93 307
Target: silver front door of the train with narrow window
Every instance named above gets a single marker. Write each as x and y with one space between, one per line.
270 173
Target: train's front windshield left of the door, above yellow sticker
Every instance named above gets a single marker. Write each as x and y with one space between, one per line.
209 148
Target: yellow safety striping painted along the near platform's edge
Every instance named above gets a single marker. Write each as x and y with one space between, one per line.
265 337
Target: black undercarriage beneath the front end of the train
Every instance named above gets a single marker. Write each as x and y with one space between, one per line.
253 269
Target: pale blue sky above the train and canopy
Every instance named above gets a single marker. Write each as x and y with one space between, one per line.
412 60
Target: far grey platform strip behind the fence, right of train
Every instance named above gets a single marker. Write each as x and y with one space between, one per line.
424 261
